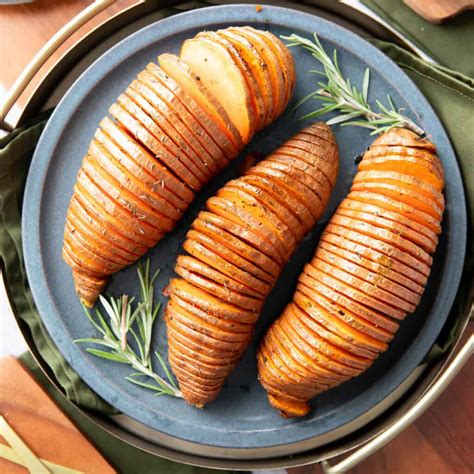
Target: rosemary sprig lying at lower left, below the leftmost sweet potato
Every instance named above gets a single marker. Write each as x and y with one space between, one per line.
126 336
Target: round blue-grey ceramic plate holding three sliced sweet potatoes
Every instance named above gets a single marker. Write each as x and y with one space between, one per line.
241 417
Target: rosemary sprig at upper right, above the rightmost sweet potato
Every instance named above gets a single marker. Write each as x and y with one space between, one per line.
339 94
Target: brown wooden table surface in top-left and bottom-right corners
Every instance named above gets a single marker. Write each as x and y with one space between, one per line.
440 442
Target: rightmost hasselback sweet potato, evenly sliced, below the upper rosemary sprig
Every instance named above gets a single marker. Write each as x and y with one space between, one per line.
369 271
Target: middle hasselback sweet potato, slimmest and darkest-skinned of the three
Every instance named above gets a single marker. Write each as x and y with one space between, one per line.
236 249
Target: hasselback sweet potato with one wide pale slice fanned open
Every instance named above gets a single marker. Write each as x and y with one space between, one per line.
168 134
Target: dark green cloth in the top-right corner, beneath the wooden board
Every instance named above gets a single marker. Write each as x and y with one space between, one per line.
450 44
